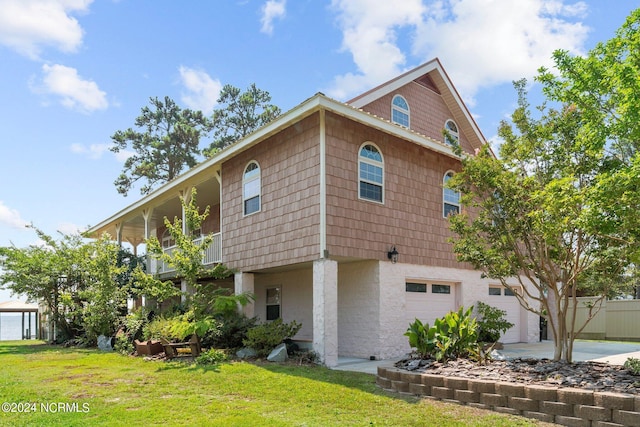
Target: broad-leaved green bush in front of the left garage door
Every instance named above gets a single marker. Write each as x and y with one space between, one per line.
452 336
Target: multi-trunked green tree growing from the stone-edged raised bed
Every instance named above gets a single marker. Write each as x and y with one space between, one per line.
529 216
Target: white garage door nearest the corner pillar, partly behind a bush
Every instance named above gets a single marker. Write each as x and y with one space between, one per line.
428 301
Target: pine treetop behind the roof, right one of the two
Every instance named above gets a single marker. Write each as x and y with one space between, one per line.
240 114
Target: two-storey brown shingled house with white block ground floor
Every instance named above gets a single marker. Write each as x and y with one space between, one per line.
335 215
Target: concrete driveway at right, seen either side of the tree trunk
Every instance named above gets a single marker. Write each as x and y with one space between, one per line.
615 353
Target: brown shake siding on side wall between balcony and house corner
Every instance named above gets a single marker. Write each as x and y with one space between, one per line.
286 229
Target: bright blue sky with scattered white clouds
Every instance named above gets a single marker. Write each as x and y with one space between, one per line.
73 72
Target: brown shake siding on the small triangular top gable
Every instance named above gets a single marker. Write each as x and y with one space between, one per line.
427 110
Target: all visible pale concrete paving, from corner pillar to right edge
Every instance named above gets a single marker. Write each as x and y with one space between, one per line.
615 353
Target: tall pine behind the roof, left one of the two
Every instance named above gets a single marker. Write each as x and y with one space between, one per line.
168 142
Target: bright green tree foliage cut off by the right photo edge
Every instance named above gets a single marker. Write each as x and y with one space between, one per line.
603 85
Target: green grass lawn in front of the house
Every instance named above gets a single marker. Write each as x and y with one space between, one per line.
120 390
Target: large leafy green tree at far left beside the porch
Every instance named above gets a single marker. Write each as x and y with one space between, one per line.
83 284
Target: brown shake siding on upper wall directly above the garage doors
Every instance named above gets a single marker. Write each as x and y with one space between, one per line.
411 216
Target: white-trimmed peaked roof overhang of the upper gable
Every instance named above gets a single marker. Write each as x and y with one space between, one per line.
432 76
